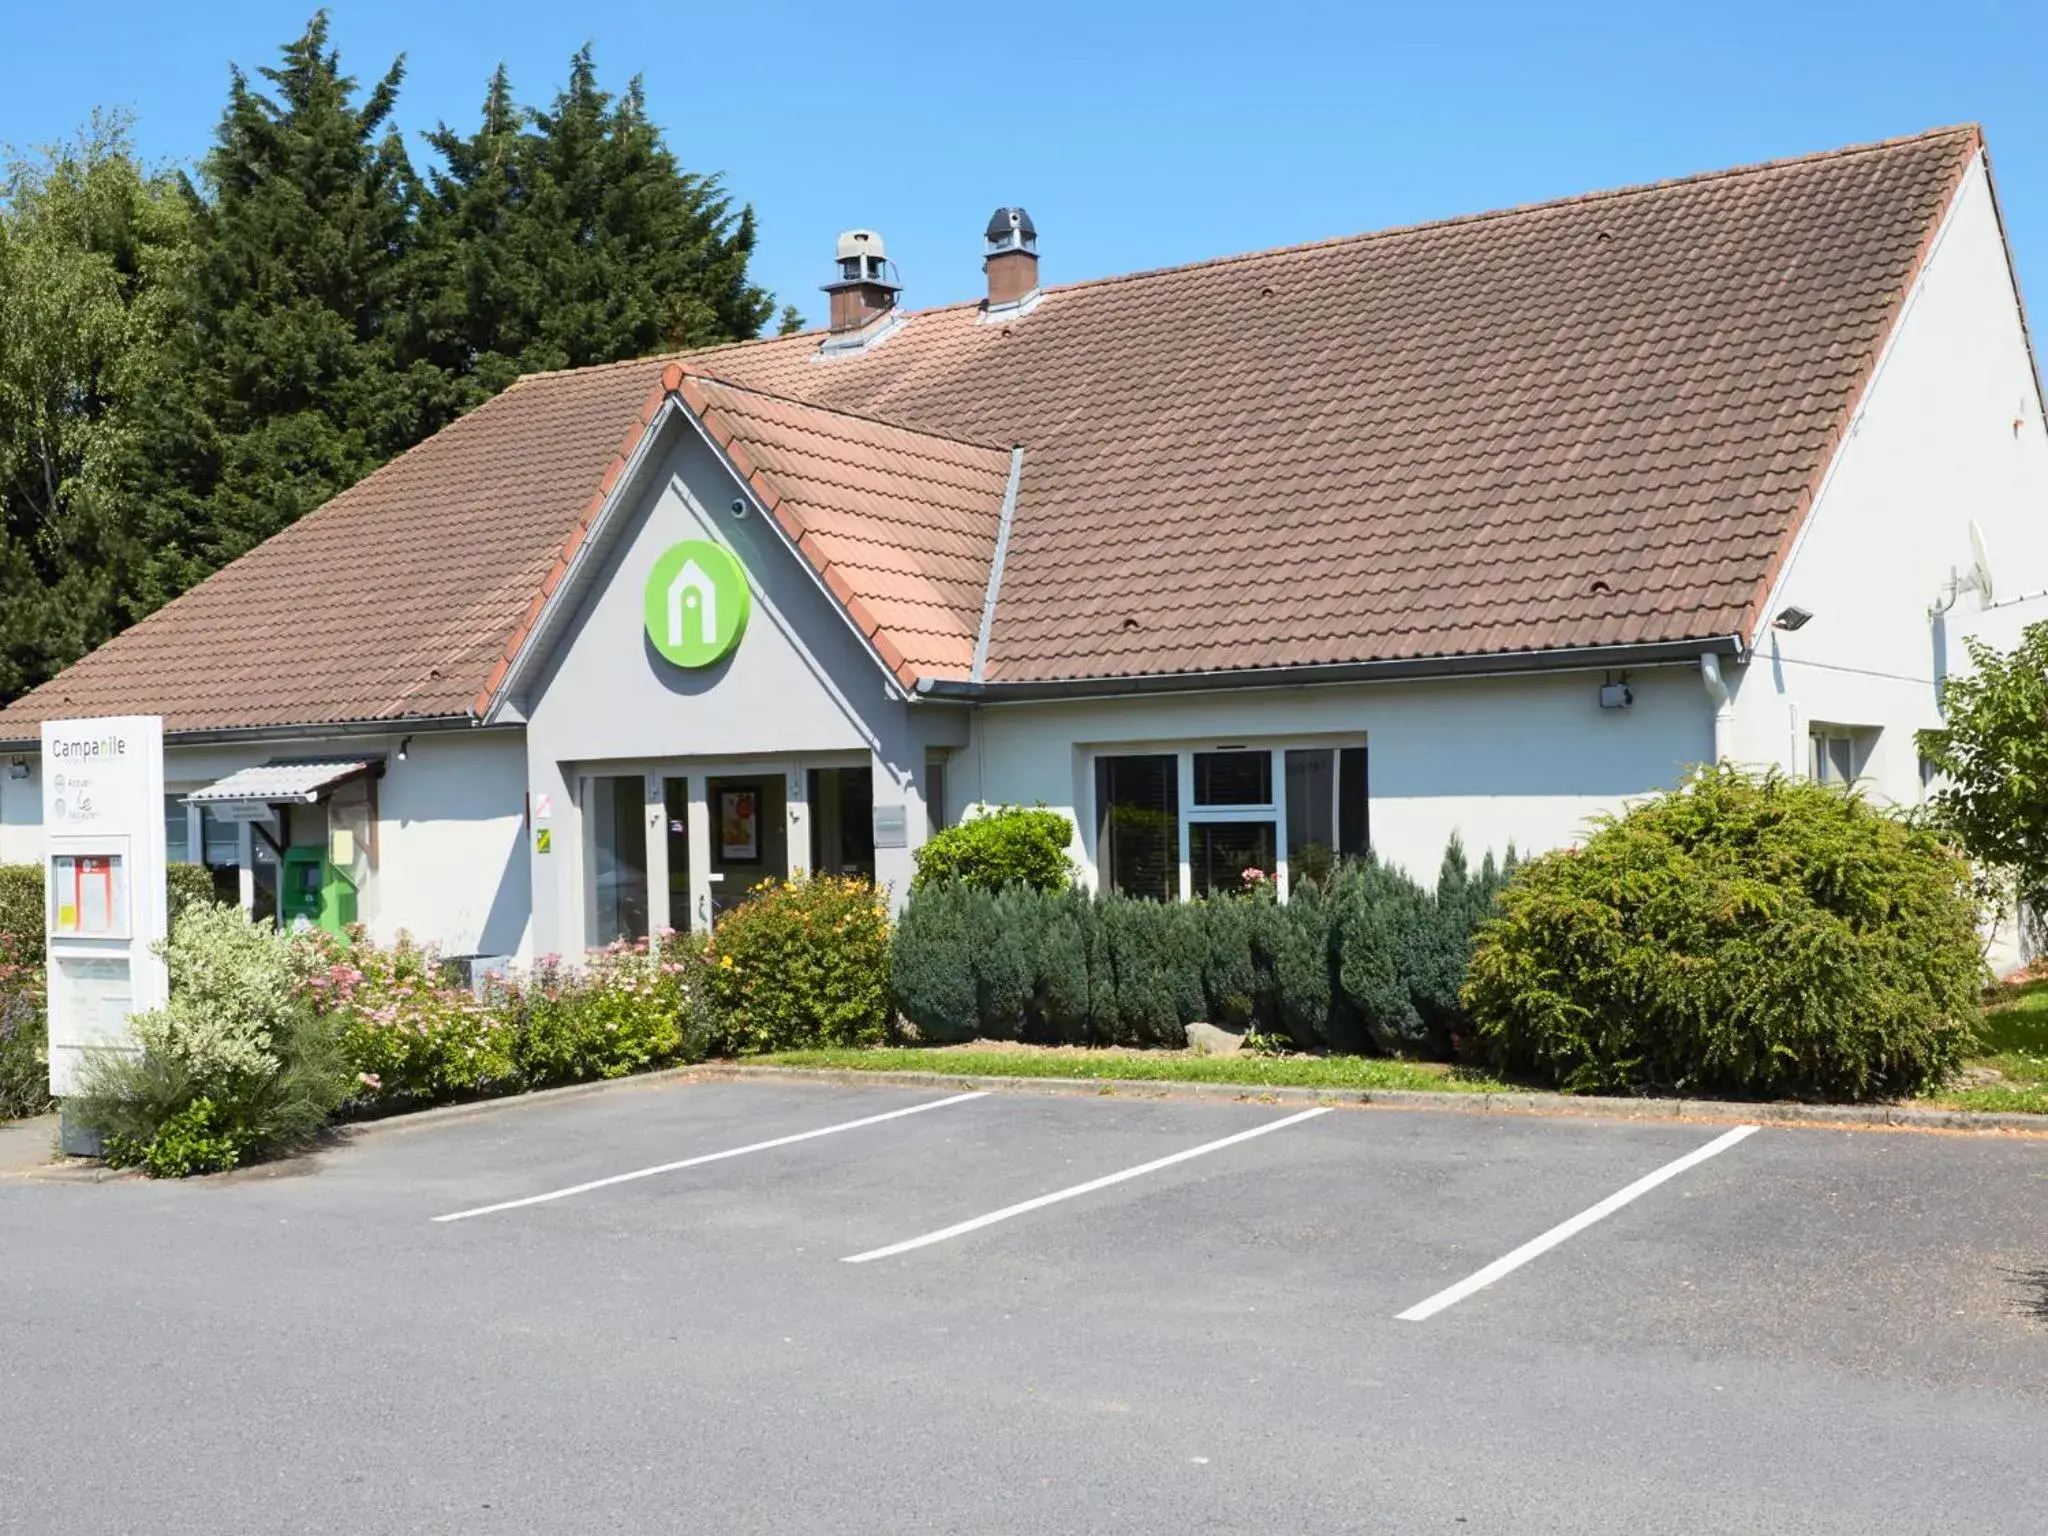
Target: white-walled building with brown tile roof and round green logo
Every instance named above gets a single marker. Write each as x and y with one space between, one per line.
1476 531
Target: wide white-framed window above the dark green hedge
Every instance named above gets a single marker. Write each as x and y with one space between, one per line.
1291 814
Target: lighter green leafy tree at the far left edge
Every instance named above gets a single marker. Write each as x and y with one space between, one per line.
91 255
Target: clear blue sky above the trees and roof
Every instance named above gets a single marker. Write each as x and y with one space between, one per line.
1138 136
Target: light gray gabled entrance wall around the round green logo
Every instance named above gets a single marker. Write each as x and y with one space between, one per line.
800 689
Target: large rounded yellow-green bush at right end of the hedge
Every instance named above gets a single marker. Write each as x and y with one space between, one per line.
1746 935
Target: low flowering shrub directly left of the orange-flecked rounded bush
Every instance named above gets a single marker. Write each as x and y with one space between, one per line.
626 1011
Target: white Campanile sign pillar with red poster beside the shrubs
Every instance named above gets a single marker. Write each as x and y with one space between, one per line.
103 886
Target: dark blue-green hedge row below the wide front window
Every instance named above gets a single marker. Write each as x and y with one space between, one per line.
1367 962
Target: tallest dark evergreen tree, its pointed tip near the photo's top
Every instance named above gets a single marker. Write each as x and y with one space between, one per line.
302 364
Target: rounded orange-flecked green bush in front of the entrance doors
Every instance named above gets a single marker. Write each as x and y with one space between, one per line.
802 964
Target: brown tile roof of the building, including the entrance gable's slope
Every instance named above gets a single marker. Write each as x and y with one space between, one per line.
1586 423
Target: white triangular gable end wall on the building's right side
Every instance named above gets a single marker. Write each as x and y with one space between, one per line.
1951 429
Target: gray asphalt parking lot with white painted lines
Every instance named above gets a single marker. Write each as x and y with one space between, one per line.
1064 1314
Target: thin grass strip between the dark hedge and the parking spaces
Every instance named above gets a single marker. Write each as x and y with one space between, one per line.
1154 1068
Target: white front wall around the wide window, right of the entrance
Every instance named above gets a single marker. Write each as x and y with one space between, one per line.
1519 761
